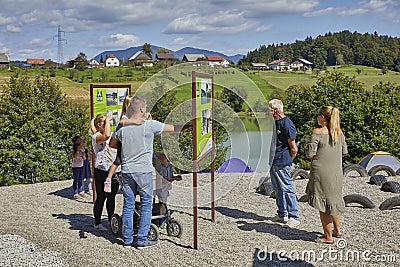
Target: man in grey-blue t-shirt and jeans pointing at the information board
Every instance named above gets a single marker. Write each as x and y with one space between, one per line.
136 137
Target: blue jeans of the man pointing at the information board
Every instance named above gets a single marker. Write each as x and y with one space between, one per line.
133 182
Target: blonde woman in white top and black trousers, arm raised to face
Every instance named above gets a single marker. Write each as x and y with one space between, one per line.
104 157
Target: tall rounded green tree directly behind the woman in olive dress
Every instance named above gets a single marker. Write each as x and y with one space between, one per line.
333 89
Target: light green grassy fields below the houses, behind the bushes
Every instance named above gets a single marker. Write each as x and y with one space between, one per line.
75 84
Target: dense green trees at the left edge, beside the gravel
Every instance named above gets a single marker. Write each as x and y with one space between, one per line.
37 126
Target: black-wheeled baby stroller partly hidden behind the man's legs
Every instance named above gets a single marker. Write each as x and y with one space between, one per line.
173 226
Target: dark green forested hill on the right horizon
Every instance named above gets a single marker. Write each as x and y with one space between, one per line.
334 49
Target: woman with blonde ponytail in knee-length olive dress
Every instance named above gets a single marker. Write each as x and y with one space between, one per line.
324 189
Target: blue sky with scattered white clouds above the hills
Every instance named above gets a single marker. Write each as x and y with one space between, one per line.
28 28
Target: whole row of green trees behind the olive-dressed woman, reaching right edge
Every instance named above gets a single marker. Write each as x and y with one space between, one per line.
369 119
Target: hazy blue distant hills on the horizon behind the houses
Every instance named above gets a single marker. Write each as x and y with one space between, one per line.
127 53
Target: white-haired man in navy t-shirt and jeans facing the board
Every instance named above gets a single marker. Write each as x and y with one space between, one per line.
283 151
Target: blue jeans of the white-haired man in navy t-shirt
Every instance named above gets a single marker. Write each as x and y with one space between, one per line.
285 196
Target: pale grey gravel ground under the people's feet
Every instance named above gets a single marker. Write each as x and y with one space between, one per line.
41 225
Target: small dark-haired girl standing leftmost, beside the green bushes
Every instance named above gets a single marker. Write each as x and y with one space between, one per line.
78 156
